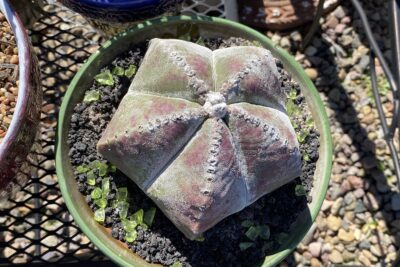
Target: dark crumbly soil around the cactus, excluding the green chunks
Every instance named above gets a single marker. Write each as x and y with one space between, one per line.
163 243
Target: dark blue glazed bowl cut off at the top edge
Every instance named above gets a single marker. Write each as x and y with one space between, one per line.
121 11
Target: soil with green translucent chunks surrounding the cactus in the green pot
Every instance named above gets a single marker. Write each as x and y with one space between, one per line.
242 239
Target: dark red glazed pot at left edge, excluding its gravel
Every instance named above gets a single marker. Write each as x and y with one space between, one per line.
22 131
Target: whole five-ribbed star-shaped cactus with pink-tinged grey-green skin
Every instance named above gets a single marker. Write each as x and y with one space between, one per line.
203 133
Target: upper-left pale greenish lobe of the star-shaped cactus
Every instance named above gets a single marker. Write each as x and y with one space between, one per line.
175 68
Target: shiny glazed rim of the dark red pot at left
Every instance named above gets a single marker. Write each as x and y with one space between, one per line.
24 88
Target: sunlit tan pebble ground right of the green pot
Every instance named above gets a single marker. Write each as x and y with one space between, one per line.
360 220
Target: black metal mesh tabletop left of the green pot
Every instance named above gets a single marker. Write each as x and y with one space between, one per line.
35 226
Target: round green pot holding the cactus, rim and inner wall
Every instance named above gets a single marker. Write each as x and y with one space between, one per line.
172 27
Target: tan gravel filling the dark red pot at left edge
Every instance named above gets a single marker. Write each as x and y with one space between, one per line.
8 75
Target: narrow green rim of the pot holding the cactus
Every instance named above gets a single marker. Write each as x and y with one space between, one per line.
326 139
